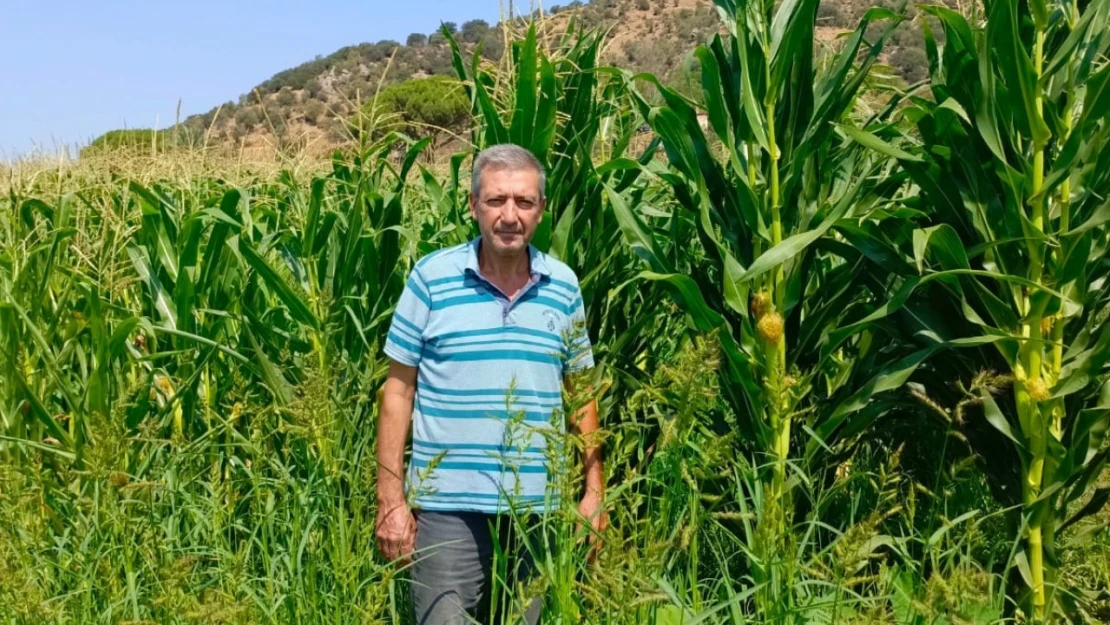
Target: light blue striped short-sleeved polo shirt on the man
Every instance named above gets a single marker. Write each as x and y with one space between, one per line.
490 379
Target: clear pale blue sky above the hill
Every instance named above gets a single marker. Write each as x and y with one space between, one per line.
72 70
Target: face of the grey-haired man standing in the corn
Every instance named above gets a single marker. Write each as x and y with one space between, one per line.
509 209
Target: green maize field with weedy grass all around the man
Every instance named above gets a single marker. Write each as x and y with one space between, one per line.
853 341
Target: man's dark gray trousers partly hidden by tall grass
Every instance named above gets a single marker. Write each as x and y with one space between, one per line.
453 578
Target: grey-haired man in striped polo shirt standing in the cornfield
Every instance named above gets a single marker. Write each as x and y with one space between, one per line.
481 344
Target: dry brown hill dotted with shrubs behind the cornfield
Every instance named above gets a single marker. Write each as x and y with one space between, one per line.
309 107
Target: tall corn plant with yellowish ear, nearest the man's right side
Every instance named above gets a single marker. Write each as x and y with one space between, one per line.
763 193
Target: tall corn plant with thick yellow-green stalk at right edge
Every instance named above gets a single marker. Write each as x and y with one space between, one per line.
1011 163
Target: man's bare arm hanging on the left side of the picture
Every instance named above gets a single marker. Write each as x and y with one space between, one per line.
396 528
